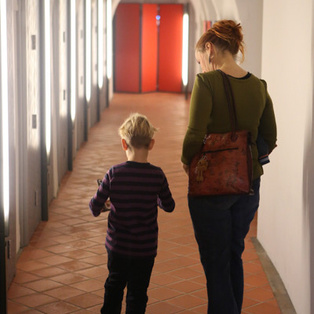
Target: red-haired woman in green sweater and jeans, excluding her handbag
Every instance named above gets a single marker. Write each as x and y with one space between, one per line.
222 222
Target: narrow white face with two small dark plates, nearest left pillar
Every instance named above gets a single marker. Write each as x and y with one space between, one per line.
33 181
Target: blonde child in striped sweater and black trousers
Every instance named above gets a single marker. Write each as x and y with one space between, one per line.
135 188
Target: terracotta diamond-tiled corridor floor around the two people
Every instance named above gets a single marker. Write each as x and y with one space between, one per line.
64 267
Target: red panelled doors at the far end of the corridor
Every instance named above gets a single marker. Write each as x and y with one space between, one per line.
148 48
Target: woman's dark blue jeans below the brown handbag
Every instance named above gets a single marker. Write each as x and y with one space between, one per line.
220 226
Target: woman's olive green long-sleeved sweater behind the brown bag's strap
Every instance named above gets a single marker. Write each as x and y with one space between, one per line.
209 113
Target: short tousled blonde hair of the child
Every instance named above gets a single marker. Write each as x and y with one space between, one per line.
137 131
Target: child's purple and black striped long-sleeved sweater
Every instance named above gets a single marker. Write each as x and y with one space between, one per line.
135 190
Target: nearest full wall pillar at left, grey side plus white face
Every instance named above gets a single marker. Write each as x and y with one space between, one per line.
28 119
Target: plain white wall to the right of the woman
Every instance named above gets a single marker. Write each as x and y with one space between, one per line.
287 202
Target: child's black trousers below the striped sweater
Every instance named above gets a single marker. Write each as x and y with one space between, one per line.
134 273
